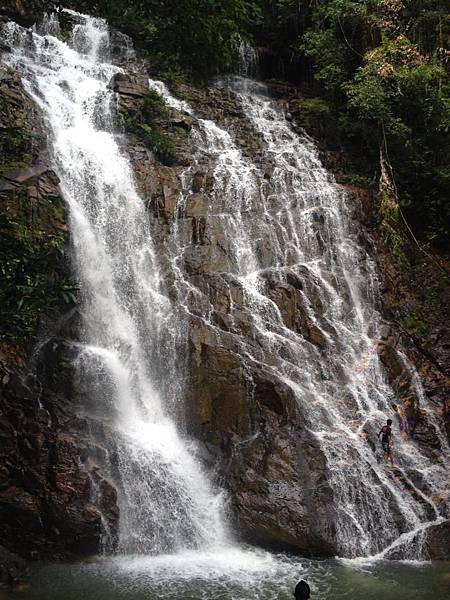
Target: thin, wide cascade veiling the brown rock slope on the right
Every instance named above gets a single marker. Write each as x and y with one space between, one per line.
289 217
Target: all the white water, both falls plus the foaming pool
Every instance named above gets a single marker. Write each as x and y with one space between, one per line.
283 216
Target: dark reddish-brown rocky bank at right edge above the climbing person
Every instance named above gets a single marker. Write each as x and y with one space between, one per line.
416 300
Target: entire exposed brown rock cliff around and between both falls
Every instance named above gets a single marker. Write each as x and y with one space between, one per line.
57 486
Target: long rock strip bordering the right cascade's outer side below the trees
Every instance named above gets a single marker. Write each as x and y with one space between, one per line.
415 296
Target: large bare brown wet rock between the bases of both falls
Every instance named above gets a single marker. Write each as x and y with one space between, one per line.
273 468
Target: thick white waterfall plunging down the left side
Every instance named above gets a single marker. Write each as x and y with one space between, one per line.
166 503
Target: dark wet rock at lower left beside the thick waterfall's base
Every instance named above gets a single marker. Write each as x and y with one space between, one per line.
52 493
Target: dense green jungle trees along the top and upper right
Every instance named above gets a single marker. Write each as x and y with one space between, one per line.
374 71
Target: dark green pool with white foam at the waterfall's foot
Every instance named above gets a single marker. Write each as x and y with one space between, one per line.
235 575
